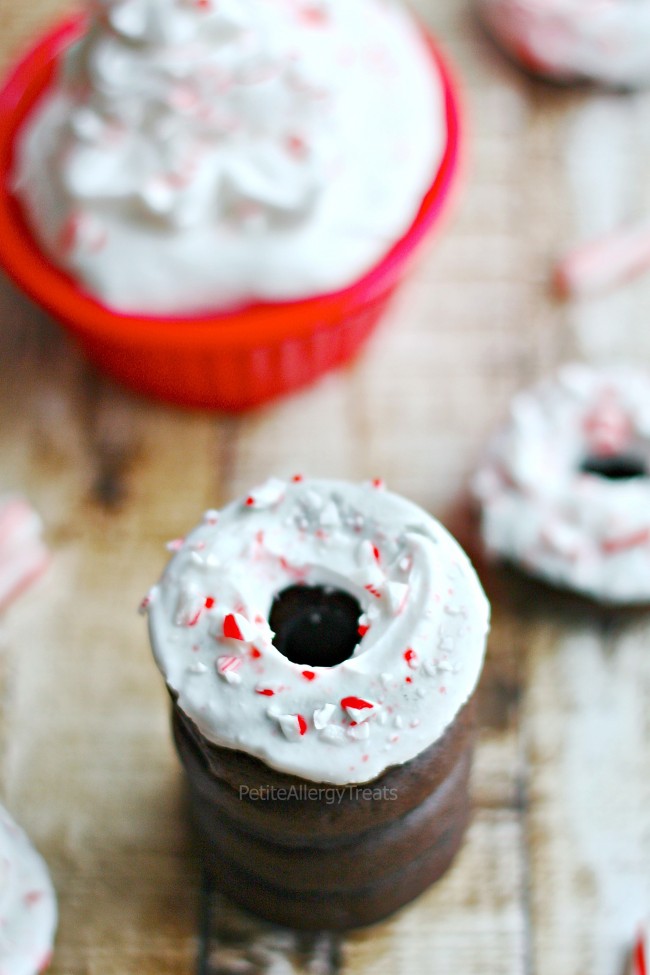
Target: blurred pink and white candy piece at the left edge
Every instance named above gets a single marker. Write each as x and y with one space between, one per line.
23 555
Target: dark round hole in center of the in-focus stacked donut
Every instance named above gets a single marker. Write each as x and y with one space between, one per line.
315 625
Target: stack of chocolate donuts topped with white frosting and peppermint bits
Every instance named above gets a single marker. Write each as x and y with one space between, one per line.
322 643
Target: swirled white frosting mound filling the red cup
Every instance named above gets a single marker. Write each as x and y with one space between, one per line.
196 155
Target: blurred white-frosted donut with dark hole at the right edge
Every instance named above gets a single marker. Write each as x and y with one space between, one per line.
564 486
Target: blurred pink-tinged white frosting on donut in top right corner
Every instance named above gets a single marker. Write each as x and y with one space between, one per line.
607 41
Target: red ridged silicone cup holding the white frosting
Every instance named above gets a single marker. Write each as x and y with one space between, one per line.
229 360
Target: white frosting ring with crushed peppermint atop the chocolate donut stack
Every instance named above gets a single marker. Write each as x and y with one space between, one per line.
424 624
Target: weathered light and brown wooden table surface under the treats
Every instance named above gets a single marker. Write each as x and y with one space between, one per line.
555 873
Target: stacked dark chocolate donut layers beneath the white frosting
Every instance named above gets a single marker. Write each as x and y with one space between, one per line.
278 847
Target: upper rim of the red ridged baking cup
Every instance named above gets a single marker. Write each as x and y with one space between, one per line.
241 328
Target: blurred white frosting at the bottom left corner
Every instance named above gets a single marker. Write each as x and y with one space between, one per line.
28 914
